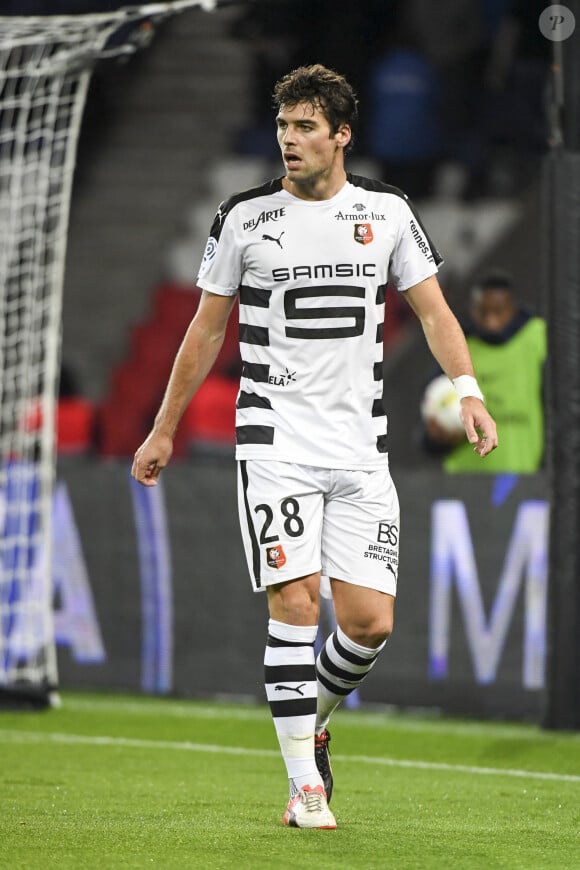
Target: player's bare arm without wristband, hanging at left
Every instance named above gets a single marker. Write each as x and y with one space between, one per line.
193 361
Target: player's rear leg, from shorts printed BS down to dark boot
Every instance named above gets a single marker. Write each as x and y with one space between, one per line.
360 553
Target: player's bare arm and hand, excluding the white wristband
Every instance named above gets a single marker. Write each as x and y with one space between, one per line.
447 344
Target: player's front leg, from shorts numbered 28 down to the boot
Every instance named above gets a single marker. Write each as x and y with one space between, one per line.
281 520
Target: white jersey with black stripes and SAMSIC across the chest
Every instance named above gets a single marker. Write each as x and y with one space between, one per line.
311 279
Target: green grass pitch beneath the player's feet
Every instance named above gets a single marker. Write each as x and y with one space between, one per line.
115 781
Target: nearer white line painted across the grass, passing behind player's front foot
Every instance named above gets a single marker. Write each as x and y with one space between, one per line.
134 743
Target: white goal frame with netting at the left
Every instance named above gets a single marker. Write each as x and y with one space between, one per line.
45 69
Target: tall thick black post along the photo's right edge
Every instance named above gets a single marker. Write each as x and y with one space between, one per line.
561 209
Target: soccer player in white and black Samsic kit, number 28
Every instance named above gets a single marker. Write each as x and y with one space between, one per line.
309 255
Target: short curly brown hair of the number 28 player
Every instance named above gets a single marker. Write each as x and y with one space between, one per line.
324 89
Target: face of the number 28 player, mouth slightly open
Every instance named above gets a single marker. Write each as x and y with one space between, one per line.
309 147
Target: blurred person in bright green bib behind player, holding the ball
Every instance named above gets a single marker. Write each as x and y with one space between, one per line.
508 348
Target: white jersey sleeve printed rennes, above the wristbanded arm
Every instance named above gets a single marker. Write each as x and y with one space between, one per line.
414 257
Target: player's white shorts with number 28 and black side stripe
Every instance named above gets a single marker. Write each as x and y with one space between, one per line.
299 519
